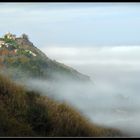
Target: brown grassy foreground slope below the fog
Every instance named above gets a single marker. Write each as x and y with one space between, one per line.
27 113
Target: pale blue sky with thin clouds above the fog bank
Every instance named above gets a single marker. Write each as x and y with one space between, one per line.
73 24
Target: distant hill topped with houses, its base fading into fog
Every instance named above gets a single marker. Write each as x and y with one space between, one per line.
21 59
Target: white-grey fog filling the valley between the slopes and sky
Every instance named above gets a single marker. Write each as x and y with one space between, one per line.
112 98
